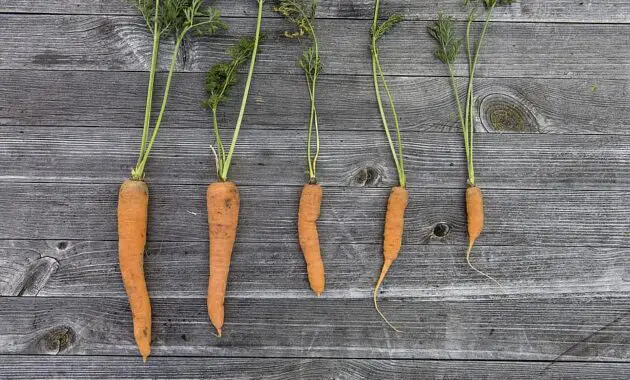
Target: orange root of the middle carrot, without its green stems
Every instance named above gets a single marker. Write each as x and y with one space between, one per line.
310 205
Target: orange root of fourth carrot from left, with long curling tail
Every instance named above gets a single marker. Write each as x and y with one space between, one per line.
394 225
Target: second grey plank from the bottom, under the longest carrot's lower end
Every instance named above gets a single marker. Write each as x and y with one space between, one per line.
563 328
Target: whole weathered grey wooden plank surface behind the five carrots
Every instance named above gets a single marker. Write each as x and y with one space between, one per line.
552 156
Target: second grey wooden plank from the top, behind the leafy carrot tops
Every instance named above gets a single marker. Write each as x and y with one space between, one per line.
121 43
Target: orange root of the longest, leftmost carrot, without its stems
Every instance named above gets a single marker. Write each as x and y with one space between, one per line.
133 201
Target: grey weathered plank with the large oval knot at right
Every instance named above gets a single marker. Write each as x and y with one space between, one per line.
345 102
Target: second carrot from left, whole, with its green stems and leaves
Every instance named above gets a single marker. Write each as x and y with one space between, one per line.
222 196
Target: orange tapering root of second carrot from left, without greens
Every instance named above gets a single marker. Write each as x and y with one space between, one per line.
223 207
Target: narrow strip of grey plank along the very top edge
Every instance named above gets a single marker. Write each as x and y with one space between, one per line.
610 11
